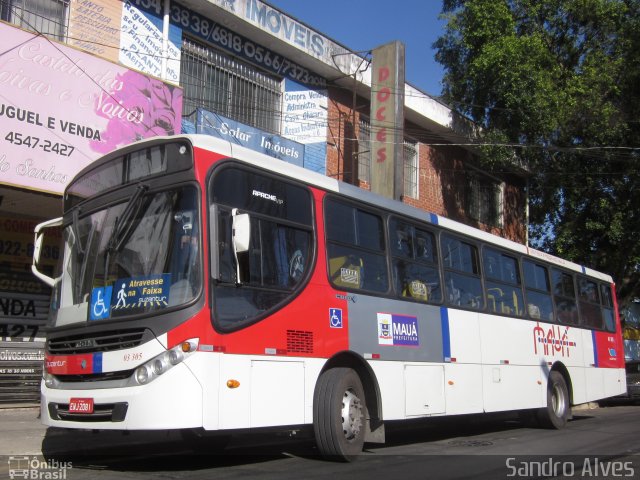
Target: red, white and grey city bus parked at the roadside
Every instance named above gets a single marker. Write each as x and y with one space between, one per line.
206 287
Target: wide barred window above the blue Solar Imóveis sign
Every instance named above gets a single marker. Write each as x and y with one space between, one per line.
224 85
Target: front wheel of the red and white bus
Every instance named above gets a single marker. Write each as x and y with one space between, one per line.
339 414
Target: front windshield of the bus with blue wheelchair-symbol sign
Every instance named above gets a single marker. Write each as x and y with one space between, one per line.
132 258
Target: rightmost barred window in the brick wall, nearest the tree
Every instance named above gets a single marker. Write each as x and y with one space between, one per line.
484 199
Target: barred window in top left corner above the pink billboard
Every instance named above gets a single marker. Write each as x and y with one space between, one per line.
48 17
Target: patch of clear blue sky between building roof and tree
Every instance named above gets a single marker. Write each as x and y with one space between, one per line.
366 24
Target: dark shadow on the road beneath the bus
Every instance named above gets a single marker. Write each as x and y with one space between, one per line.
155 451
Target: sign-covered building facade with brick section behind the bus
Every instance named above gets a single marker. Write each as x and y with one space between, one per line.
82 77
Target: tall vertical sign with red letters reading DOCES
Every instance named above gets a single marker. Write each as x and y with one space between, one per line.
387 119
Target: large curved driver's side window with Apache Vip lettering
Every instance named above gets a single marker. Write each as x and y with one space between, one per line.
280 244
